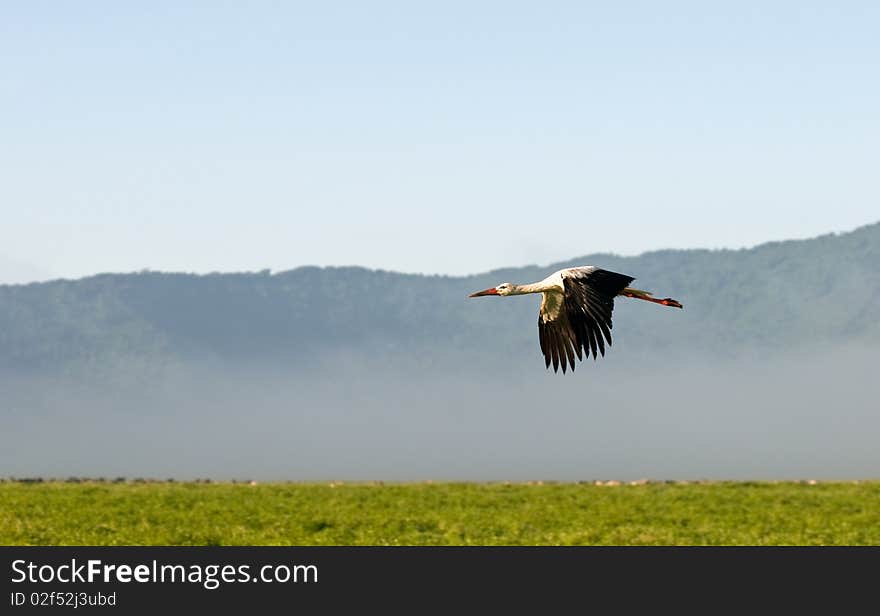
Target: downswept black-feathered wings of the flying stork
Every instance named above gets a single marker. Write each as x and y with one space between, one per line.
578 319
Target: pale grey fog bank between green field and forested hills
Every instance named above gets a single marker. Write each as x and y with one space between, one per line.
665 417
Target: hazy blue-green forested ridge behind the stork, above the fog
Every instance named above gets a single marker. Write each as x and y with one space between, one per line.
790 295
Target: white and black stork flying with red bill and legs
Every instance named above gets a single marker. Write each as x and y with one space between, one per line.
576 310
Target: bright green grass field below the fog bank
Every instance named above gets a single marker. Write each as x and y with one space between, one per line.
722 513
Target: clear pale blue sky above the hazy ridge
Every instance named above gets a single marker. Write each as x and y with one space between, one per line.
427 137
